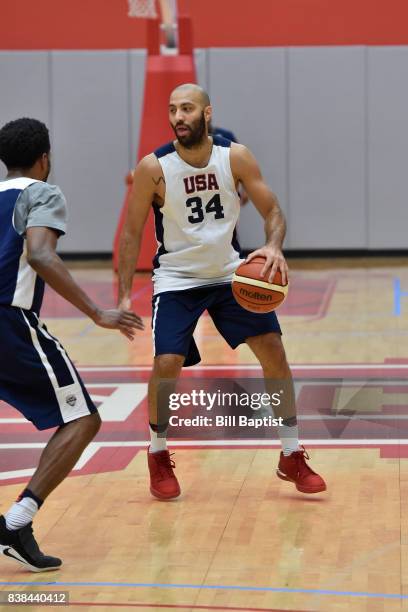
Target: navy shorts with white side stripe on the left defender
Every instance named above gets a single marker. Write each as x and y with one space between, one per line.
36 375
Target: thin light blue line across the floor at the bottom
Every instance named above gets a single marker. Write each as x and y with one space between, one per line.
212 587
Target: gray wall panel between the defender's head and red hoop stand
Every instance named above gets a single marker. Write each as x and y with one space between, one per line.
90 116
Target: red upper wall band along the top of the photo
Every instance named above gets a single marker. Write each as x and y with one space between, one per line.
103 24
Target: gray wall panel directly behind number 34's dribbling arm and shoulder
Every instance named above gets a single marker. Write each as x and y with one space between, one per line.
248 93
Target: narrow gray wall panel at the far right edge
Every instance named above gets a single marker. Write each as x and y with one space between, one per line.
388 147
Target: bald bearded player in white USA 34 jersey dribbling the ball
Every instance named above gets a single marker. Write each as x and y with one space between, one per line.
191 184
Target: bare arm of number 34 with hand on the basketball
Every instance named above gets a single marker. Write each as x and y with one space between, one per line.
245 169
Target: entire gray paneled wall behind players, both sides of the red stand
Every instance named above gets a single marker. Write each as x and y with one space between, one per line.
328 125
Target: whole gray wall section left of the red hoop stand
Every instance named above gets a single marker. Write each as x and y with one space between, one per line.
91 101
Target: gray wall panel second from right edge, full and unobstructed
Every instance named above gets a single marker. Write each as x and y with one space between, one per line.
327 148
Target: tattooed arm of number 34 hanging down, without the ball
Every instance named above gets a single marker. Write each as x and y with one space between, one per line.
140 200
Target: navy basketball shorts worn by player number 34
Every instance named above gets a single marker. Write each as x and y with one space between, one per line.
175 316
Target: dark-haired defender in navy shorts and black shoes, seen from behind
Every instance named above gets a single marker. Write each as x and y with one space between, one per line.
36 375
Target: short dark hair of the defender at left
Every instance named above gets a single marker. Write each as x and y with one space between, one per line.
23 142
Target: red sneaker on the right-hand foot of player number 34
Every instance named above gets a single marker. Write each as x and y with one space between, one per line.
295 469
